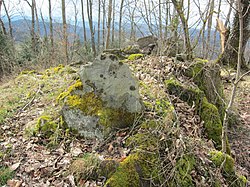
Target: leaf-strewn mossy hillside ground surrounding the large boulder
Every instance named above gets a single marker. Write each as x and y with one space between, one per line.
37 148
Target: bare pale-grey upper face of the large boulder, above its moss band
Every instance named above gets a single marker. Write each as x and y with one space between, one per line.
113 82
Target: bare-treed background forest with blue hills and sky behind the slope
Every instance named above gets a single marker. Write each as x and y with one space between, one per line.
48 32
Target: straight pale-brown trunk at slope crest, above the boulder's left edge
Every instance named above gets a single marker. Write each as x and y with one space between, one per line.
65 37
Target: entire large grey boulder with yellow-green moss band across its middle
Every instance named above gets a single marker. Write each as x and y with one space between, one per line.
108 98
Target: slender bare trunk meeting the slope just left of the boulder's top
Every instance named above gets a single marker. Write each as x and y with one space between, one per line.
89 10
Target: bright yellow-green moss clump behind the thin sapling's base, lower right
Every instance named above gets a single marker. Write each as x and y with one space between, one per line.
219 158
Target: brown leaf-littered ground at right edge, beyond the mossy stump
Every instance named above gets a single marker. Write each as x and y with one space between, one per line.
239 135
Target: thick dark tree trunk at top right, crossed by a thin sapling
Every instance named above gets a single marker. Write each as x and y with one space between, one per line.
230 54
